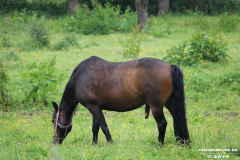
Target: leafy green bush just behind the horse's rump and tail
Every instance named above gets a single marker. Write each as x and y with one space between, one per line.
201 47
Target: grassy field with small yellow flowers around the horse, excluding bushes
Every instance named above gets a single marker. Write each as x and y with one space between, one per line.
212 92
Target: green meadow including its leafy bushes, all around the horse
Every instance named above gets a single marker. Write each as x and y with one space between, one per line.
38 54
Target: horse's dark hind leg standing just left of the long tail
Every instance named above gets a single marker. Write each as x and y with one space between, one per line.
161 122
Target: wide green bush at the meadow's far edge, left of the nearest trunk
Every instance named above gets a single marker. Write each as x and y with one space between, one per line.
101 20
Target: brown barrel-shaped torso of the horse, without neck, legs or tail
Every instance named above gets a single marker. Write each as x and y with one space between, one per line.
122 86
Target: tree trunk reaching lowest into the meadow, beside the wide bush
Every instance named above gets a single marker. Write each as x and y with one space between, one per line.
141 8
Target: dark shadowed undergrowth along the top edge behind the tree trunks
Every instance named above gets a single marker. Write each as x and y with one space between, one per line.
60 7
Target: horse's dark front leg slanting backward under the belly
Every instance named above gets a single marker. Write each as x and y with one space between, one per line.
96 111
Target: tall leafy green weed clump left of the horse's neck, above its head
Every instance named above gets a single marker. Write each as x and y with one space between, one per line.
39 81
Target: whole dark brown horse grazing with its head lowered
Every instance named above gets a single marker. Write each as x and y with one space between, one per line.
123 86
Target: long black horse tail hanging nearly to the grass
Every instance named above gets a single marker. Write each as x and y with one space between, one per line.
178 105
